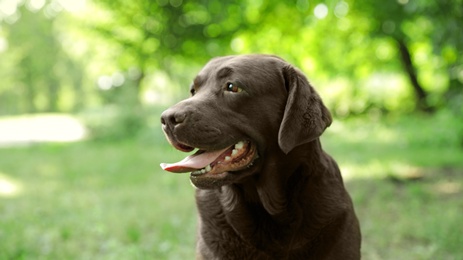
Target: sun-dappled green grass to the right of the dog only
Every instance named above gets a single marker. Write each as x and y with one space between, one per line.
405 176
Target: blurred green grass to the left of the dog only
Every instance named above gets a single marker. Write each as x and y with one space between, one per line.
94 201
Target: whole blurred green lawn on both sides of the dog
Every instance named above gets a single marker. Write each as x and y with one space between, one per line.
110 200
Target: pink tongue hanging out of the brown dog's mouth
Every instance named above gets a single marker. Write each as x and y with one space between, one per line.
193 162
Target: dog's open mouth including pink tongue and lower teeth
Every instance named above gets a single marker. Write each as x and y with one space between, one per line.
212 163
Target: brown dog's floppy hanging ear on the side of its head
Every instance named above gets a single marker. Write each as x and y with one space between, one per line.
305 117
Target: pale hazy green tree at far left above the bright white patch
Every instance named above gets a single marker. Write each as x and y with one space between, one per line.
41 68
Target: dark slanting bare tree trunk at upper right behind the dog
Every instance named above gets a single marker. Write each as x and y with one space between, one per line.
420 94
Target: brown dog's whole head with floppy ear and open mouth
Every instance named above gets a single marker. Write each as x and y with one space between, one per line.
242 109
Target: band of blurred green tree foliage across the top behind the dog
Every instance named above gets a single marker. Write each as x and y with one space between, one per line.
351 50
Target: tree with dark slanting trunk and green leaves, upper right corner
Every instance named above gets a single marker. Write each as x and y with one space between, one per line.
407 22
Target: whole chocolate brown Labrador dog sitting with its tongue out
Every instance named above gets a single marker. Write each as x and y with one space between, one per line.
265 187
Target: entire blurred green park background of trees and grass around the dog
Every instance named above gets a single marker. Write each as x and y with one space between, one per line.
83 83
